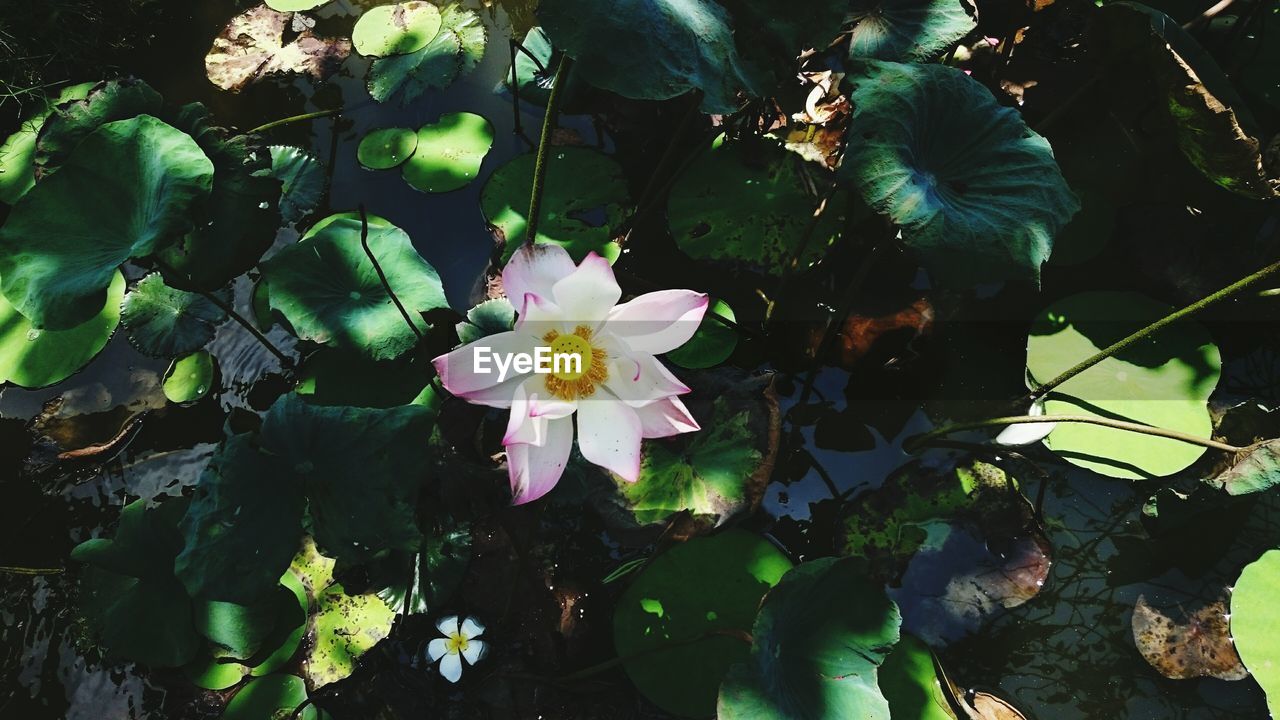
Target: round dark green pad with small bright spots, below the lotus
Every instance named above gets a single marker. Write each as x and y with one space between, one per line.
693 590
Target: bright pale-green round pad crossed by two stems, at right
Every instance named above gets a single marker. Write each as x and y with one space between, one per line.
1164 382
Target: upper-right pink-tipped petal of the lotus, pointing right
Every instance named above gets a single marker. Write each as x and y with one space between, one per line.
659 322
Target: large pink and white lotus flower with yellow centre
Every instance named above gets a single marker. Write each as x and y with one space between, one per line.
619 390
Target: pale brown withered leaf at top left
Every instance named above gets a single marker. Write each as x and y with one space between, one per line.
253 47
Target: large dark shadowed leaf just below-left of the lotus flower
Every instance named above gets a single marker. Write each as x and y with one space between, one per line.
360 470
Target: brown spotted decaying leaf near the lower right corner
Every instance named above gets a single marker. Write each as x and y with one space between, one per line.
1200 648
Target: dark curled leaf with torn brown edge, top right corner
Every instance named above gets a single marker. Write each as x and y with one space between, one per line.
1215 130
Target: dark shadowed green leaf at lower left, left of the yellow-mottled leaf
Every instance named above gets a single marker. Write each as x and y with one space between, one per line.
129 594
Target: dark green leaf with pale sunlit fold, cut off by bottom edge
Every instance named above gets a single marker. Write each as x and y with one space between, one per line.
820 639
